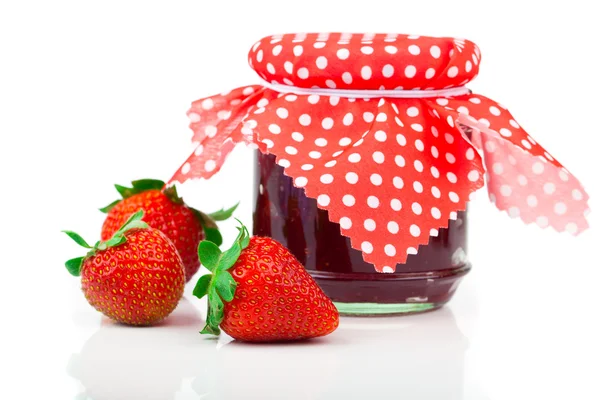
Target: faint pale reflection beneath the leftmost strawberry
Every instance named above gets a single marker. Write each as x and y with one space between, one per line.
121 362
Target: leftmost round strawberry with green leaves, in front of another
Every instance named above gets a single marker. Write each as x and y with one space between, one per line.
136 277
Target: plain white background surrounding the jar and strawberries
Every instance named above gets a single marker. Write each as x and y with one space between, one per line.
95 93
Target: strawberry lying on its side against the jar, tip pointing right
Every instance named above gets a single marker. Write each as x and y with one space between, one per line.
259 292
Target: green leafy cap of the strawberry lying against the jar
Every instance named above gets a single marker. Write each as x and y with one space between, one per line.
219 285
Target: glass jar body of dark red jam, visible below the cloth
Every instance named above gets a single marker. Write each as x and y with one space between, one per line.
426 281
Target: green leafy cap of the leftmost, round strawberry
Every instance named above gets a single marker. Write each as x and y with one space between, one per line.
134 222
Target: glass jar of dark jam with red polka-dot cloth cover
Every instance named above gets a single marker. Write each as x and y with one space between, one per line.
368 147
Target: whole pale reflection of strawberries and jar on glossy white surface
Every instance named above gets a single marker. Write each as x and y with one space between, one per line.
414 357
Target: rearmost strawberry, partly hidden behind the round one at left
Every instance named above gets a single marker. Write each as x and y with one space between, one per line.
166 211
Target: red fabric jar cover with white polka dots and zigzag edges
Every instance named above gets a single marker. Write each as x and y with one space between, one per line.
370 126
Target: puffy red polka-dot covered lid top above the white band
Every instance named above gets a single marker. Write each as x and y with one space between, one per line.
365 61
